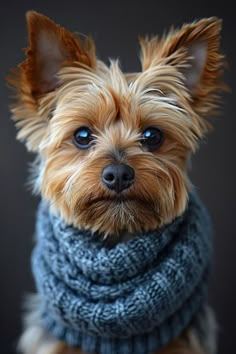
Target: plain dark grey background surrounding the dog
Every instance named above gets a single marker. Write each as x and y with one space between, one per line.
115 26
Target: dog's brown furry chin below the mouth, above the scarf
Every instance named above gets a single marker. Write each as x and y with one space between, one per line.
119 218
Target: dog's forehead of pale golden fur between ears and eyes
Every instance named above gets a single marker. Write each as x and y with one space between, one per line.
100 98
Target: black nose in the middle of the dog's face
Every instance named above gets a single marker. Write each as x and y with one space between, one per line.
118 177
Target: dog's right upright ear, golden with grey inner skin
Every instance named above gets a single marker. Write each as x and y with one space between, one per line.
194 50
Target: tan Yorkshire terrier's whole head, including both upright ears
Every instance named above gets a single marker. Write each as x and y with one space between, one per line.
113 147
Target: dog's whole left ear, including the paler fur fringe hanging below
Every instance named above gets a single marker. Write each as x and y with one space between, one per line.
51 47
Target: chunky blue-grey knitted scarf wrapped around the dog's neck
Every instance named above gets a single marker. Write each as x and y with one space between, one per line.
133 298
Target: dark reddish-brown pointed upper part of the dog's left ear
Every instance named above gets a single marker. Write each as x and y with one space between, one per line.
51 47
